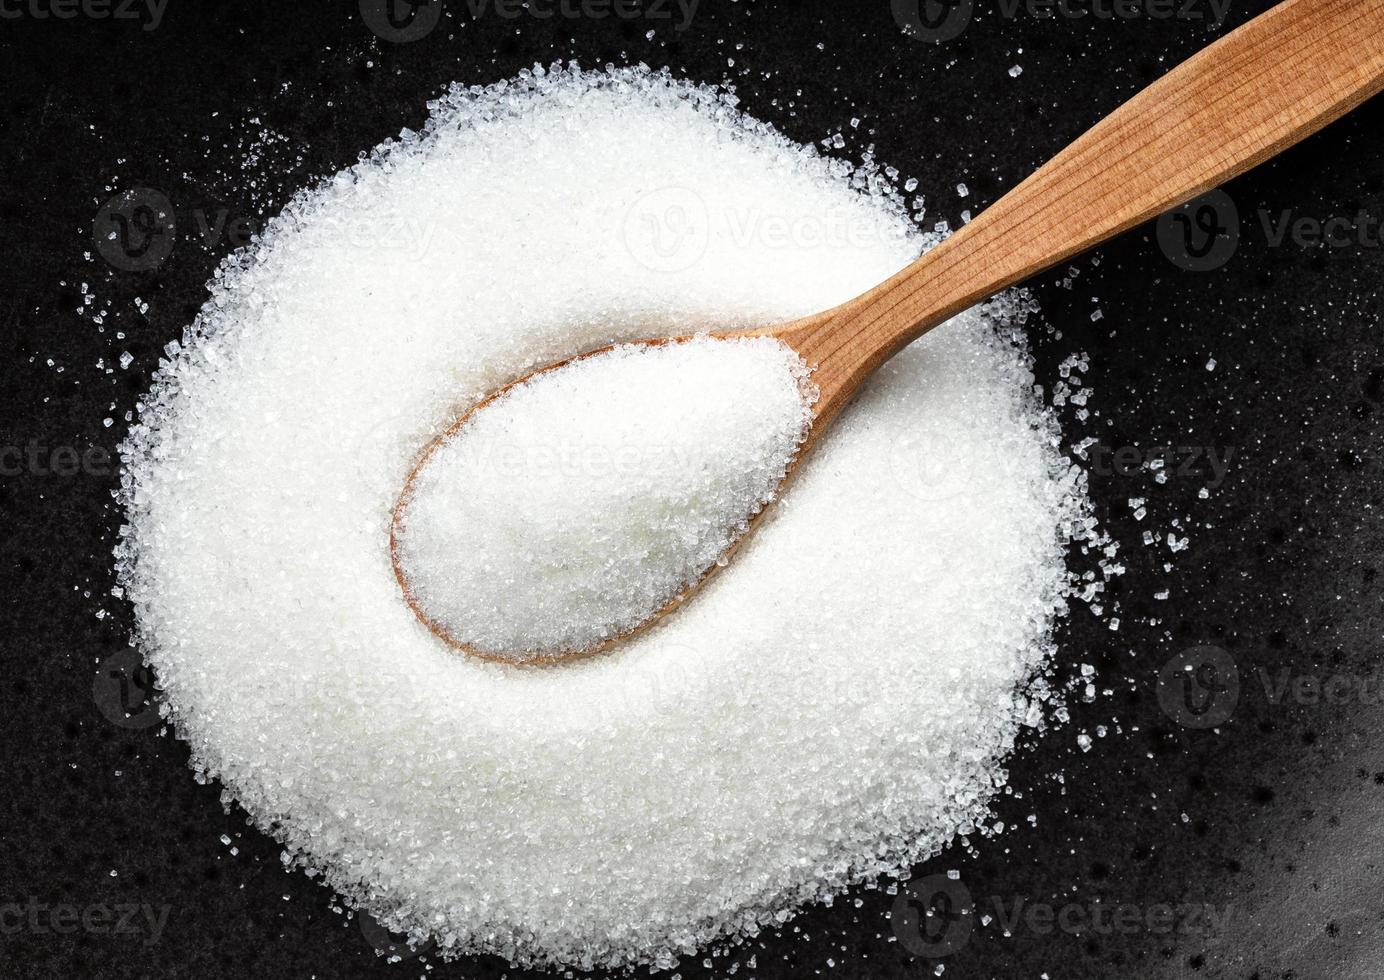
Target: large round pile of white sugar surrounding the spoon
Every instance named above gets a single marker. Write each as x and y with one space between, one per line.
834 707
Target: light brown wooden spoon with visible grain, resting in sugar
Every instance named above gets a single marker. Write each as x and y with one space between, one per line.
1273 82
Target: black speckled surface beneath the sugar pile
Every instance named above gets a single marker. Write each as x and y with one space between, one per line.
1267 819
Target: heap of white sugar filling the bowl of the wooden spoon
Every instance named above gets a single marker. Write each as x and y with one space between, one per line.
582 502
